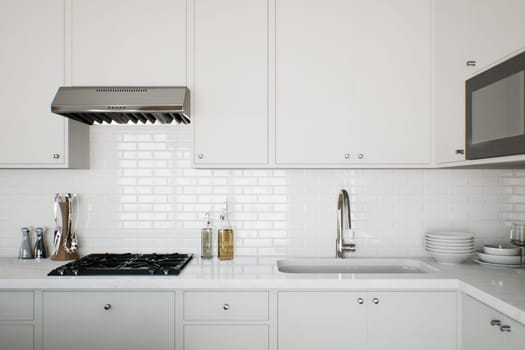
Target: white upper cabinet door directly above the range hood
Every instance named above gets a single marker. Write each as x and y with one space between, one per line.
121 42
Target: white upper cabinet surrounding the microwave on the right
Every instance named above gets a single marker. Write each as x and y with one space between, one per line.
480 31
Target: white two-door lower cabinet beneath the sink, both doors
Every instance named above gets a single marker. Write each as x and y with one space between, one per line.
367 320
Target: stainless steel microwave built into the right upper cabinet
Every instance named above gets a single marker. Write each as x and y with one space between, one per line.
495 110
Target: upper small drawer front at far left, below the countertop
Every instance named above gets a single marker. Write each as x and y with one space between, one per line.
16 306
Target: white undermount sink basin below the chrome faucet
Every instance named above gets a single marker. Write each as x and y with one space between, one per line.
354 265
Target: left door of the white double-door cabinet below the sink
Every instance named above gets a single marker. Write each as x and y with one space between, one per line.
321 320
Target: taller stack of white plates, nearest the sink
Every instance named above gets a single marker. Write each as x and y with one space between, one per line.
449 247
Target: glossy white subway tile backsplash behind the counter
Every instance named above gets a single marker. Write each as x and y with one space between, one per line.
142 195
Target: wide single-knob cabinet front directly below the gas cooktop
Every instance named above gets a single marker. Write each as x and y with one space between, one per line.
108 320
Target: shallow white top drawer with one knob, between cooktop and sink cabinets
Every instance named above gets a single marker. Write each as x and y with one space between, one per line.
225 306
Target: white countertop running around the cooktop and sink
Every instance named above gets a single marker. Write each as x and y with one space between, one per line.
502 289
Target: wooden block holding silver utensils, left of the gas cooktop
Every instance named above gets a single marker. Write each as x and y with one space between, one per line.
66 243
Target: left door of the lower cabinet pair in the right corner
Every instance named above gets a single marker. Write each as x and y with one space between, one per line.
477 331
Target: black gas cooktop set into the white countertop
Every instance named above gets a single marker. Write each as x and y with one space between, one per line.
124 264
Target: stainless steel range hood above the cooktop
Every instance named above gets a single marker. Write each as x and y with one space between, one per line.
123 104
